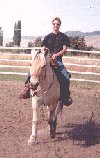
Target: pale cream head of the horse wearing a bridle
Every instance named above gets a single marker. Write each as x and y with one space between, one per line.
40 60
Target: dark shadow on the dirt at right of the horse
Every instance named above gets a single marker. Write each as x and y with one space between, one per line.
88 132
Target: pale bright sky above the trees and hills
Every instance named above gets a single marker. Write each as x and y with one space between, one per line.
36 16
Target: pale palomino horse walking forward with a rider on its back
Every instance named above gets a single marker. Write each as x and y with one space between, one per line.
45 89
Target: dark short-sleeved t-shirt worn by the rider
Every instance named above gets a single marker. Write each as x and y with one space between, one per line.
55 42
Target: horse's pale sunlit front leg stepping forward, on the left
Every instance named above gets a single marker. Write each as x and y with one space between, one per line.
35 108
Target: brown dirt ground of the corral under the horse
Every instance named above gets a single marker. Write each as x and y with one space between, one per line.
77 135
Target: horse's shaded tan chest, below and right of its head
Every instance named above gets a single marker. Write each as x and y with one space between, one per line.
49 87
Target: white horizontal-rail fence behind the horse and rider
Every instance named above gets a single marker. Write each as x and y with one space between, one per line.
83 68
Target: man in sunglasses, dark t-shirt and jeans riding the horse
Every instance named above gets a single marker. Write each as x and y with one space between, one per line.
57 43
